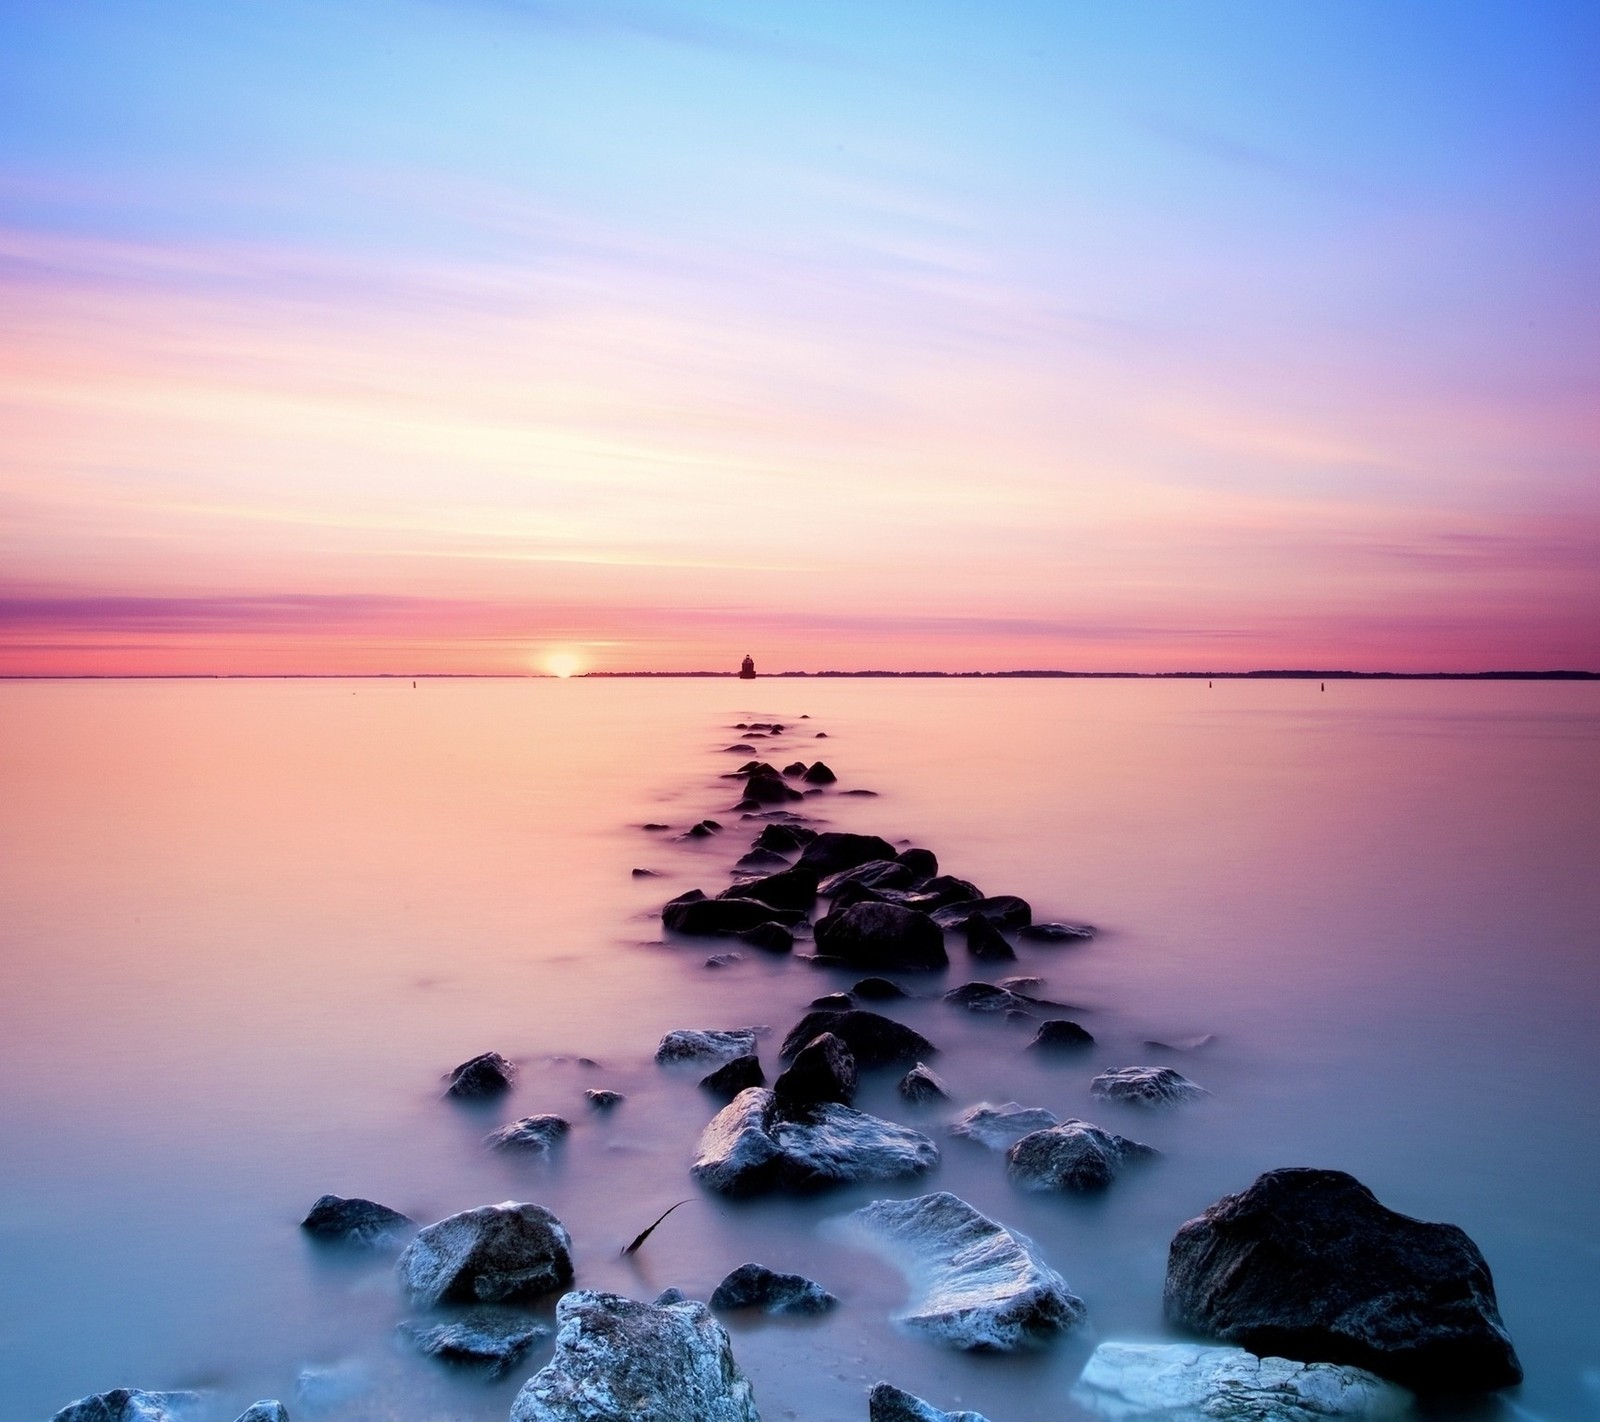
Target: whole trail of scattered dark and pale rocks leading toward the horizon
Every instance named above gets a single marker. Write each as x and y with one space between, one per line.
1326 1303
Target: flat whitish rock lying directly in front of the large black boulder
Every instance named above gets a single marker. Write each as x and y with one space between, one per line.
1183 1383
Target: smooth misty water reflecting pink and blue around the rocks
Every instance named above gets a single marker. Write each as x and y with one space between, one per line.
247 927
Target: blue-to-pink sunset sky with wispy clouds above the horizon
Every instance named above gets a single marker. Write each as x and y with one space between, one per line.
511 335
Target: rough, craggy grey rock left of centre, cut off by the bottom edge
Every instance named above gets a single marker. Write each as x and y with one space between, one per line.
618 1360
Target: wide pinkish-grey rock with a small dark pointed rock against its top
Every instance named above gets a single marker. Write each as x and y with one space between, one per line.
753 1148
